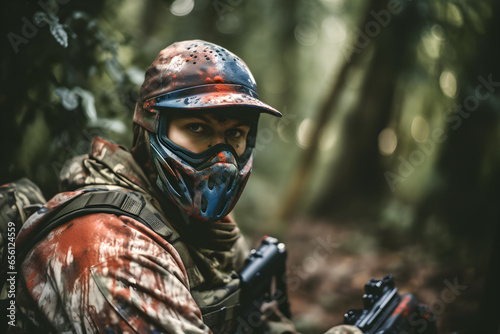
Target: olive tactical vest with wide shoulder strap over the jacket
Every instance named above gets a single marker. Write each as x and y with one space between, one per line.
217 293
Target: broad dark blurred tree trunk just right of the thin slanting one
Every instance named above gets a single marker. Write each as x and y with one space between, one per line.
359 174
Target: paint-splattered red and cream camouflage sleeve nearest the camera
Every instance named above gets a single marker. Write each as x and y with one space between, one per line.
102 273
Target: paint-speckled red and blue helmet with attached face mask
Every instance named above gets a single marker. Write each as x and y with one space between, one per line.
190 77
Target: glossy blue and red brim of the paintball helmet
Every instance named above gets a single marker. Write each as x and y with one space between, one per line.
212 97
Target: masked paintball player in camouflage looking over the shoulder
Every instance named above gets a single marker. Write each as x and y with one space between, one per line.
142 241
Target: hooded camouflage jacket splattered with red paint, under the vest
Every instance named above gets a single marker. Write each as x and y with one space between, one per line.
110 273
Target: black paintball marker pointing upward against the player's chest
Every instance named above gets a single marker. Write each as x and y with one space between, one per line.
263 279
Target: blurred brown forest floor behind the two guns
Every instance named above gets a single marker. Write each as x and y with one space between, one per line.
328 266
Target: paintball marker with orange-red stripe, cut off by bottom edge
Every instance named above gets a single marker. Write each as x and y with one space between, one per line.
386 312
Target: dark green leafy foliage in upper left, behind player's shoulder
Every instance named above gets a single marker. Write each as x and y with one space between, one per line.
57 59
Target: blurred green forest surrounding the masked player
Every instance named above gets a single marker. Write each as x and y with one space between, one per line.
386 159
